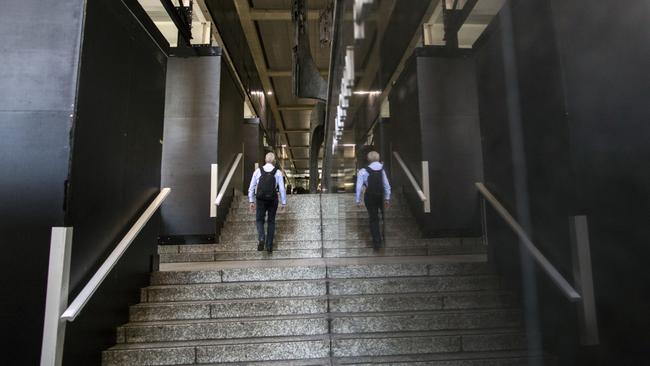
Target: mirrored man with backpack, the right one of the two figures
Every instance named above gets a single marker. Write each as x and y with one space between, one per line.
377 195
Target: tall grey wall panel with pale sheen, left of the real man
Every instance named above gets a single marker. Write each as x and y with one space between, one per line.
190 143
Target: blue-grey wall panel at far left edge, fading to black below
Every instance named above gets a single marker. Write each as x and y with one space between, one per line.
37 90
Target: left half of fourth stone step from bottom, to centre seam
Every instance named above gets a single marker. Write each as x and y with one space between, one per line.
233 290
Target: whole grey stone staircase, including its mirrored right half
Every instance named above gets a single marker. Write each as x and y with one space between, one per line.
323 297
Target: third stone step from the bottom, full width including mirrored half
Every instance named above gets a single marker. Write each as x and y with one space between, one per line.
195 310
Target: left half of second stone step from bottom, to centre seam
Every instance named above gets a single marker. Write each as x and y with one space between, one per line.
229 328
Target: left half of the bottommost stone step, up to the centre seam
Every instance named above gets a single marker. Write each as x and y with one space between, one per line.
312 350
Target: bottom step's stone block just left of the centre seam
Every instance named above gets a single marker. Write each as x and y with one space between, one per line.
263 351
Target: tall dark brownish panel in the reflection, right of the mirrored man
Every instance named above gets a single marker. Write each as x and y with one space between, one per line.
450 140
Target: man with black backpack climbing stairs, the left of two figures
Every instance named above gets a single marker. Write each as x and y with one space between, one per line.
263 198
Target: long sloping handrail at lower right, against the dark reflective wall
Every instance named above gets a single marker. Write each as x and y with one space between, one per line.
548 268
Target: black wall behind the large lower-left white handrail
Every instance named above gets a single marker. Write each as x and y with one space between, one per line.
115 170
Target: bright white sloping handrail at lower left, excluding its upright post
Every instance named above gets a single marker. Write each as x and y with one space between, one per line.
80 301
